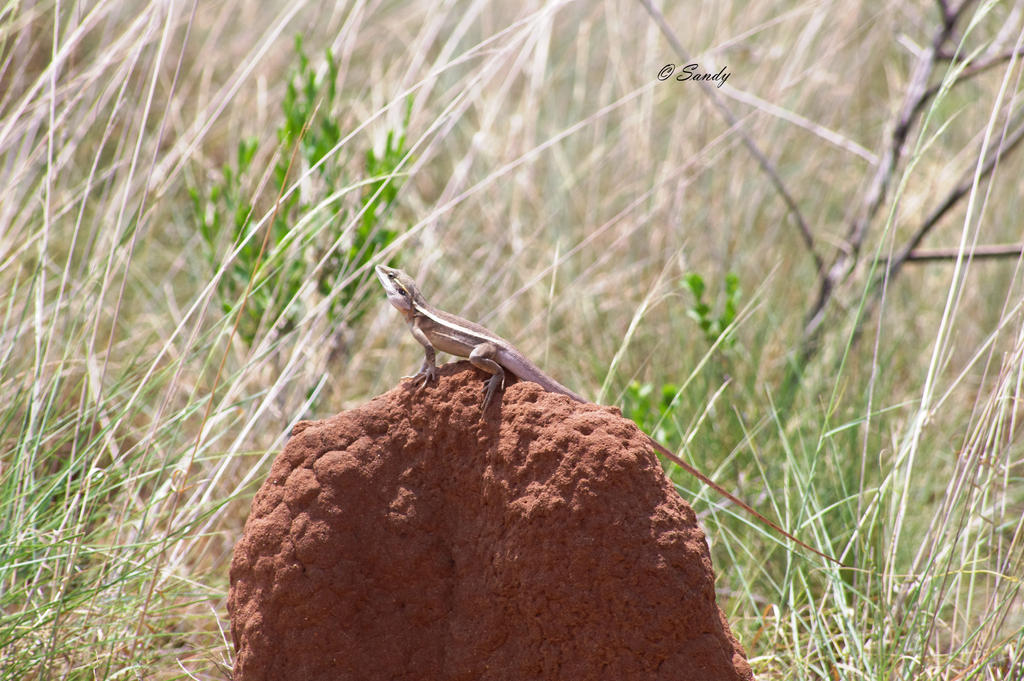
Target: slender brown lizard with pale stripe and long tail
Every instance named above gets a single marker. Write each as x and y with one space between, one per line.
437 330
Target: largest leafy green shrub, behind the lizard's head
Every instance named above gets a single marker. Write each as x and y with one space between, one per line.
305 227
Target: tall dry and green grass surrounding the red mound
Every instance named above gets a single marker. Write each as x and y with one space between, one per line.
193 205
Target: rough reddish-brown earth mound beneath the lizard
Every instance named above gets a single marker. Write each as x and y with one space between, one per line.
409 539
